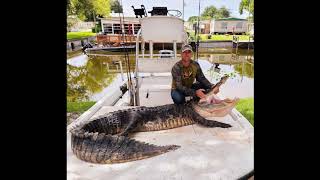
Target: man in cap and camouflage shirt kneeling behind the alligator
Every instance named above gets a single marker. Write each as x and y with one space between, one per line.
184 73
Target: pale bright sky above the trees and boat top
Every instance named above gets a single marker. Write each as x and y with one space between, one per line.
191 6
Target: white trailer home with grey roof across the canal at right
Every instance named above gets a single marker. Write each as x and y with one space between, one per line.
228 25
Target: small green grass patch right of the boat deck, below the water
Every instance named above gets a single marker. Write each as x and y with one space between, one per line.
245 107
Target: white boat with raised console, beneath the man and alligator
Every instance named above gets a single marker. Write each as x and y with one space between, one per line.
205 153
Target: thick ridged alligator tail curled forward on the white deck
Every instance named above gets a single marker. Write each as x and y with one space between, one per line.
108 149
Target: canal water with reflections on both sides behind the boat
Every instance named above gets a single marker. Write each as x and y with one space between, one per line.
89 79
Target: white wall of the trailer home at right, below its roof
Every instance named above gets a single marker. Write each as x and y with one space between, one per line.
229 26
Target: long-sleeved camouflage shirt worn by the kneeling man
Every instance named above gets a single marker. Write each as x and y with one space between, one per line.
184 77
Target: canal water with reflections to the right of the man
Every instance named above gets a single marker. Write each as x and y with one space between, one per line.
239 67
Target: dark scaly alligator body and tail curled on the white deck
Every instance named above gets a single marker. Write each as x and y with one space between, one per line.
106 140
